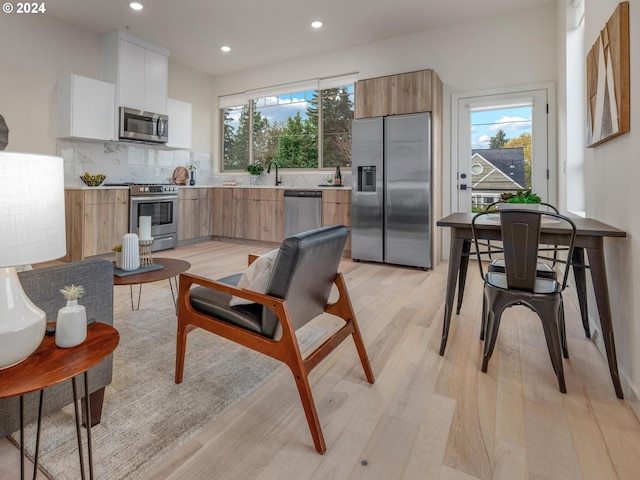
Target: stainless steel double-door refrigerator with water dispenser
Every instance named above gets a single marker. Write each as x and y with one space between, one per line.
391 190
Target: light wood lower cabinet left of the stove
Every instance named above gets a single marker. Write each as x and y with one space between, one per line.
96 220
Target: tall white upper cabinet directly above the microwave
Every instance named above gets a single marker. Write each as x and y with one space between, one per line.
138 68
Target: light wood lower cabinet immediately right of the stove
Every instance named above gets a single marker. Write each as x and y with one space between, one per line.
195 213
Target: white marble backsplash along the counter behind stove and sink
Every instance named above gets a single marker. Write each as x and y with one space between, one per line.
124 162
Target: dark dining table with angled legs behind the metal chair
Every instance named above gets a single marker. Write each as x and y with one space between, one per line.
590 236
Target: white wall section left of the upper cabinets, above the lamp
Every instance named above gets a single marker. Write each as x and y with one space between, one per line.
36 51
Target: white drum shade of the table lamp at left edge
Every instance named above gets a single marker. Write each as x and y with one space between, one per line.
32 218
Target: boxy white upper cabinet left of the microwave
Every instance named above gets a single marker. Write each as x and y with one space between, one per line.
86 108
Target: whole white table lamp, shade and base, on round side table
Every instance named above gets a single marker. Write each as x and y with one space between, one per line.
32 230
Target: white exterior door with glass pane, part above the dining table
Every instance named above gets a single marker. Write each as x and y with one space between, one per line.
503 145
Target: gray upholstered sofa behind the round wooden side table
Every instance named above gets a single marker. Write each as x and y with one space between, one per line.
42 286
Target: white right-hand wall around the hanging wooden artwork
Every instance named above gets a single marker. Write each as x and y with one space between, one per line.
612 172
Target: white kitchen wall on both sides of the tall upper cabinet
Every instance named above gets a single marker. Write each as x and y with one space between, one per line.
37 50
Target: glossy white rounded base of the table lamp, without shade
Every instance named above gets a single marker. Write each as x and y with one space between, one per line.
22 324
